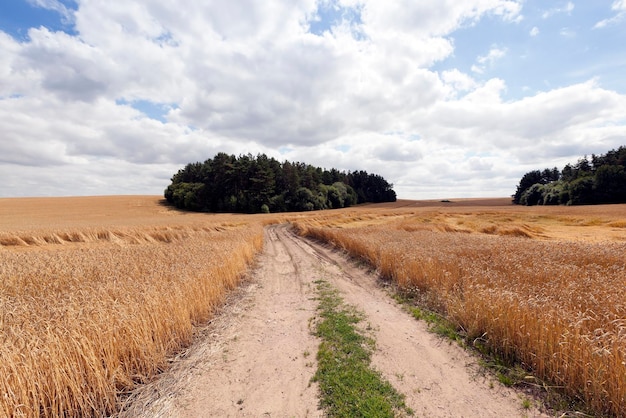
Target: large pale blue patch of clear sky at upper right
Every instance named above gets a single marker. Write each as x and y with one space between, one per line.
551 47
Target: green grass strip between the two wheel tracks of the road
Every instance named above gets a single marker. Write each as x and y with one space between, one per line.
349 386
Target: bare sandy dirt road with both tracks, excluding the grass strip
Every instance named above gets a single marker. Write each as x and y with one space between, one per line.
257 357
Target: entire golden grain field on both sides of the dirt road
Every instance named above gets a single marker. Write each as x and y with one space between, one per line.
97 293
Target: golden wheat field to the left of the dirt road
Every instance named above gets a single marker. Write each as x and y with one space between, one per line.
96 293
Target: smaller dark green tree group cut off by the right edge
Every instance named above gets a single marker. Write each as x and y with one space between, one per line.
601 179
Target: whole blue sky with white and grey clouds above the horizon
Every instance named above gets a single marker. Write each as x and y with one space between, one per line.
443 98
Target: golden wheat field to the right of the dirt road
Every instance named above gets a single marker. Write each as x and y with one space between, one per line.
543 286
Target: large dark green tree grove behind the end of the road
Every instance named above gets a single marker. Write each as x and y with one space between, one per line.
249 184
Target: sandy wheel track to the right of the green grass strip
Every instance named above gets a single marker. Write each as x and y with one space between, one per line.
439 379
